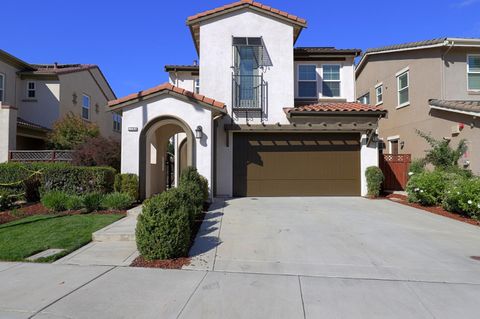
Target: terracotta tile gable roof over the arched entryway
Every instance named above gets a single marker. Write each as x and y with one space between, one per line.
169 88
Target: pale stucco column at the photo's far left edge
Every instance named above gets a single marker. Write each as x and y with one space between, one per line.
8 130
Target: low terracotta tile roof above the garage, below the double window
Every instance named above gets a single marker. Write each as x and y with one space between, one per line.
333 107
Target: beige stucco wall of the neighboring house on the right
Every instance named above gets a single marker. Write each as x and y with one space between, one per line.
426 71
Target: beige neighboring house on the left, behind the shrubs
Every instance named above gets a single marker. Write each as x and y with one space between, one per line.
34 96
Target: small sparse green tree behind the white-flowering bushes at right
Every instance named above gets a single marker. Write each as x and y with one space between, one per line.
442 155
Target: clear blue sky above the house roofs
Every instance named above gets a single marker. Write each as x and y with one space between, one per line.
131 41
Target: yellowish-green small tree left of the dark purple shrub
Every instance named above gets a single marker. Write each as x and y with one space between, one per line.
71 131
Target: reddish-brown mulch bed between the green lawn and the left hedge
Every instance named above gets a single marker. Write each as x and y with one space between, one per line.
38 209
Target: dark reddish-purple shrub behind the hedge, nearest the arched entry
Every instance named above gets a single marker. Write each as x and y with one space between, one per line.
98 151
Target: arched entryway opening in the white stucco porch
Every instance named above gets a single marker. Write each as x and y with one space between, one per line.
154 145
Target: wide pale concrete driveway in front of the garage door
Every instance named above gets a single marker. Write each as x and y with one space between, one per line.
338 237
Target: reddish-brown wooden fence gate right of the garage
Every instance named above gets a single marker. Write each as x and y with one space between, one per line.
395 169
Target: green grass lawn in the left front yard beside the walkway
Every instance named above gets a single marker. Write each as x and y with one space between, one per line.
23 238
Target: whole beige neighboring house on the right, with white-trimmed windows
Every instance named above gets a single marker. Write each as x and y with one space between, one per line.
432 86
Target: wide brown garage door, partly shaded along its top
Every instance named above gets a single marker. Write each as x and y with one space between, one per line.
296 164
